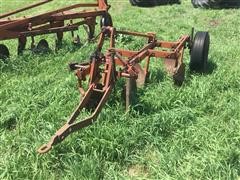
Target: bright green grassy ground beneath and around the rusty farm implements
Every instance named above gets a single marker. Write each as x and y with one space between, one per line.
192 132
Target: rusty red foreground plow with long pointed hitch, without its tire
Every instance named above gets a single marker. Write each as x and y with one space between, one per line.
105 69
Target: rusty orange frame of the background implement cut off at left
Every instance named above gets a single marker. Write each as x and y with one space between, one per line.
56 21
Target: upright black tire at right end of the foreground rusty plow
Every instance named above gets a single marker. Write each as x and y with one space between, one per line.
199 52
